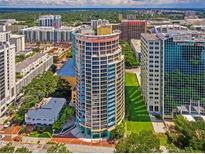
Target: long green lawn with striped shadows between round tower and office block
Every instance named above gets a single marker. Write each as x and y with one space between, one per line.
137 118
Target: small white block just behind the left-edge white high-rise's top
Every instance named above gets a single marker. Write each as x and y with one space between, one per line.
19 41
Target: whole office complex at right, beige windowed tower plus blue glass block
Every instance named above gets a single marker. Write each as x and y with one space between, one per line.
174 70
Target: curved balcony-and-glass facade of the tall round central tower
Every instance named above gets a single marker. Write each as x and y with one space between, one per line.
99 67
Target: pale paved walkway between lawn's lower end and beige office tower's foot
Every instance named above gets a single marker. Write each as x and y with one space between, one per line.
157 124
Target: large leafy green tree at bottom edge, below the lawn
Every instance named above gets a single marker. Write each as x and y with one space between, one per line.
144 142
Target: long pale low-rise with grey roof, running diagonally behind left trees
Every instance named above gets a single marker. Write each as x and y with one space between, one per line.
32 67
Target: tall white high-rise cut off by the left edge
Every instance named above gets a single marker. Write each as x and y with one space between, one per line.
7 71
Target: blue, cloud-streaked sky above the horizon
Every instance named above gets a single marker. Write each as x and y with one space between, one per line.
104 3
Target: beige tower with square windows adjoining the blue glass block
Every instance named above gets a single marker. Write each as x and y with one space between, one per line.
151 72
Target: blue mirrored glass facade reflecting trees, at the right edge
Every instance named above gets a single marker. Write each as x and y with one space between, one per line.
184 72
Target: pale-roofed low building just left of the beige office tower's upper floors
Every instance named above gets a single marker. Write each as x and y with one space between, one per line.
136 47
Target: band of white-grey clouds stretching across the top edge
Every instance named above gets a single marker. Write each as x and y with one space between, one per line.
103 3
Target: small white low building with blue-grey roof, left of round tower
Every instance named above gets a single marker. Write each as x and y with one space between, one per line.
46 113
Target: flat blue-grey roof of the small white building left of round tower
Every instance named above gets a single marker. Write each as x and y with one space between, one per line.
49 110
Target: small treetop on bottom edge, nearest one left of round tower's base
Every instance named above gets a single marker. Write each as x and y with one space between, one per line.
58 148
